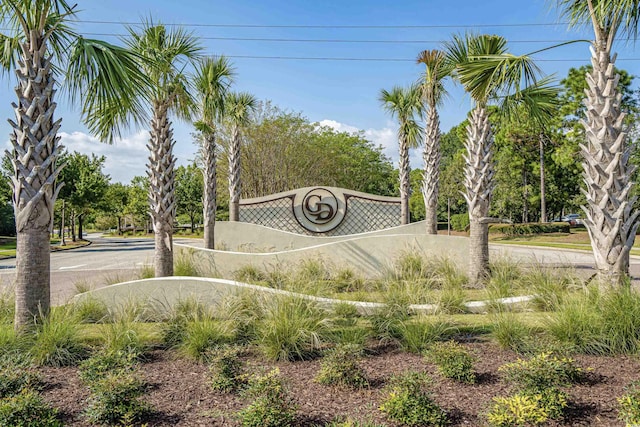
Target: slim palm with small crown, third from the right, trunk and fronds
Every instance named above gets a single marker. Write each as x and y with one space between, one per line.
437 68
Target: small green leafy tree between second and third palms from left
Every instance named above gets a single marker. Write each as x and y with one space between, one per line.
189 190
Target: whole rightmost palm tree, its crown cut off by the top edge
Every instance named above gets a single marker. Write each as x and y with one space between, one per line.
611 219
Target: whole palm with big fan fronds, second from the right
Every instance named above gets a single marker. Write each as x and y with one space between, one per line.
489 73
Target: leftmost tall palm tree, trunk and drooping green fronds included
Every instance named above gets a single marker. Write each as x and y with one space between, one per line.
41 46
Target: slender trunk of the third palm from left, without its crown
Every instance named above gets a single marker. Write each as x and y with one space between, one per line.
210 189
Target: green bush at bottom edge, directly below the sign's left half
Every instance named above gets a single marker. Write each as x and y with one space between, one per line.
272 405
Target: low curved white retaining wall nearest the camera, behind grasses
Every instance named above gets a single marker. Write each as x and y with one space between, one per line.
167 291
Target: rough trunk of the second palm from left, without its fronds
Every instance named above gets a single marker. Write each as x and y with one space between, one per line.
161 188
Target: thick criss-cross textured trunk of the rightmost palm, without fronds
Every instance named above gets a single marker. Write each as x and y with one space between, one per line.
610 217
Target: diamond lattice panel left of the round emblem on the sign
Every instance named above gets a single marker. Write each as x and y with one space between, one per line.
277 213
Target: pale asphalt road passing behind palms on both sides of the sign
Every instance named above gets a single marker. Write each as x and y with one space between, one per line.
112 260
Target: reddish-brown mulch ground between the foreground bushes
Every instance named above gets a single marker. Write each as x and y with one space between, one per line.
180 395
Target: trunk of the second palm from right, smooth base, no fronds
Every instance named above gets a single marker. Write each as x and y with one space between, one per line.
479 188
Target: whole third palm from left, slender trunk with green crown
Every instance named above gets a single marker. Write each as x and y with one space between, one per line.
213 77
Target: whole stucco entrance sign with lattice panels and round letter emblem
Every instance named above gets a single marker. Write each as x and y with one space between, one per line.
327 211
